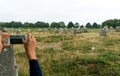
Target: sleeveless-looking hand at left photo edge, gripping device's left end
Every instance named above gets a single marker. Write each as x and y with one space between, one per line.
3 37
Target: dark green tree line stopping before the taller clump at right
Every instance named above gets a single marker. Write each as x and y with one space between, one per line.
41 24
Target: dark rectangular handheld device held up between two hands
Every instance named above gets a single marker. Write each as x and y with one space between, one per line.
16 39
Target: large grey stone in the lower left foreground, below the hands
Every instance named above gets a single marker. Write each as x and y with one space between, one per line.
8 63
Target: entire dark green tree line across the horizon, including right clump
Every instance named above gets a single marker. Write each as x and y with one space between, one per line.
110 23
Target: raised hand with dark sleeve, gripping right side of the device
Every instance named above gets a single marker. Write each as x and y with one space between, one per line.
30 45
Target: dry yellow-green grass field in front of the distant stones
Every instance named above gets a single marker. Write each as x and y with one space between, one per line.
85 54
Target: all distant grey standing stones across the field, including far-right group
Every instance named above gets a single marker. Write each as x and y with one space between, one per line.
74 31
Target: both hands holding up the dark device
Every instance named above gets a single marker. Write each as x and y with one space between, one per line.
29 44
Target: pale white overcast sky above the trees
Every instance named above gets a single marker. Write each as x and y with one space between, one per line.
81 11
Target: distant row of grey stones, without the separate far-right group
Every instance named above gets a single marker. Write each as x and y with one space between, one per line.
56 30
